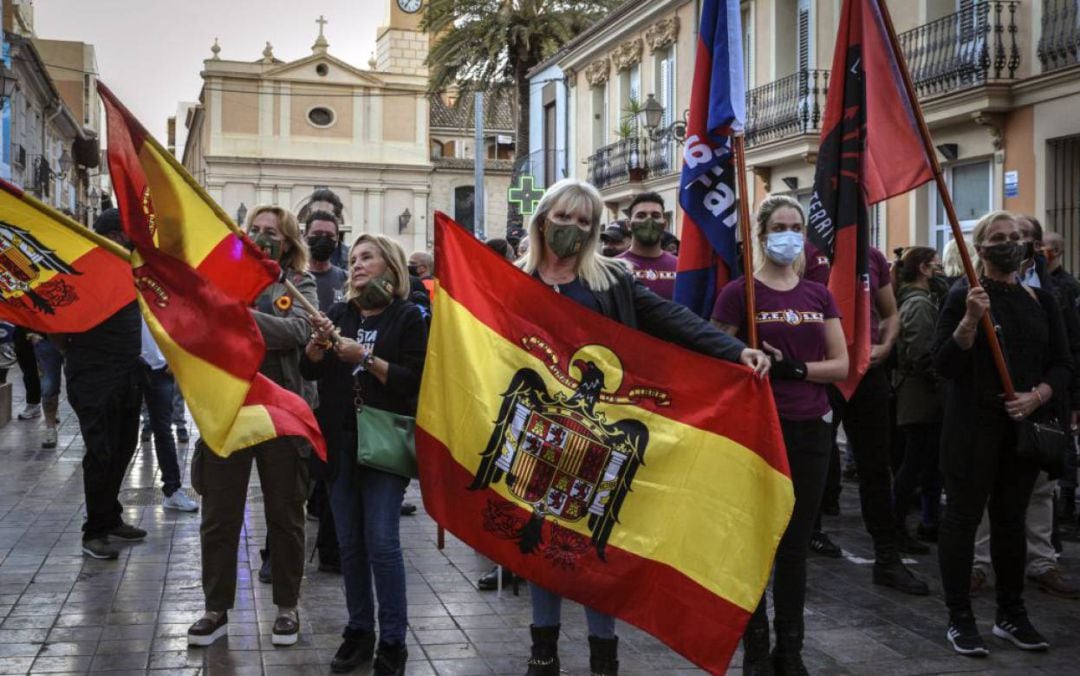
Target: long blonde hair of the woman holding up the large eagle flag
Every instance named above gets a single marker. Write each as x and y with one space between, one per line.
598 273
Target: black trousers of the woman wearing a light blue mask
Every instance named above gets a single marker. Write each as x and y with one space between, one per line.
809 444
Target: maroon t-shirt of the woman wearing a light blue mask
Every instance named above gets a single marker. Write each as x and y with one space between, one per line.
794 323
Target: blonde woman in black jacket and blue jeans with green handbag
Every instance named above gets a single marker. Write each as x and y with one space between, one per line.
381 357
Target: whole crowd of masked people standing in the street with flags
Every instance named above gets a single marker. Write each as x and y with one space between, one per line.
928 420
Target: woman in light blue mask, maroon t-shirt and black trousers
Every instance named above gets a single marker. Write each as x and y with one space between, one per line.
800 327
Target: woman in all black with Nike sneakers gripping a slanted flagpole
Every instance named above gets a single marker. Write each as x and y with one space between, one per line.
980 431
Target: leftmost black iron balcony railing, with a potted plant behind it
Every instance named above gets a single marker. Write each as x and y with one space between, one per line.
636 159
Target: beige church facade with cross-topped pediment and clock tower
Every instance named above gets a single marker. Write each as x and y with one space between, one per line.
268 131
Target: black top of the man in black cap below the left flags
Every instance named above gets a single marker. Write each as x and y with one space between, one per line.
110 350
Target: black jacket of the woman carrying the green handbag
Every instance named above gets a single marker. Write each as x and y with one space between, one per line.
402 343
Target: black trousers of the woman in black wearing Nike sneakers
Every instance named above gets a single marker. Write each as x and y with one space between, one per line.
1002 484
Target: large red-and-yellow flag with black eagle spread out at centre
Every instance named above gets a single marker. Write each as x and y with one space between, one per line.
610 467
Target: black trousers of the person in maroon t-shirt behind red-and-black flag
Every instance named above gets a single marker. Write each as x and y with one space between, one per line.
866 418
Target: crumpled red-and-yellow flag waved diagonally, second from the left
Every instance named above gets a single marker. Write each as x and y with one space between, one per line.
197 278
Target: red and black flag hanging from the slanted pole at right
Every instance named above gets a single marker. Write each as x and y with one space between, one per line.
871 151
